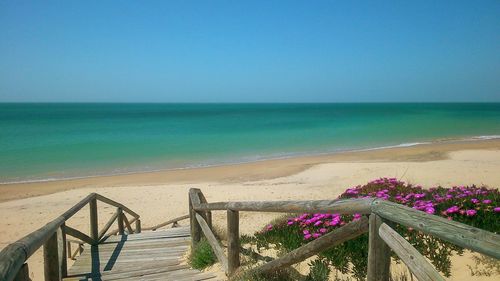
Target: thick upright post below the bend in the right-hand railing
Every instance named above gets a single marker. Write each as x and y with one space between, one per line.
379 254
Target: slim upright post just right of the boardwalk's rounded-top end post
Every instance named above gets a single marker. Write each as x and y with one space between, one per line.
233 241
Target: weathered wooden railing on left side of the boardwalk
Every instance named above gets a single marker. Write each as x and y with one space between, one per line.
56 247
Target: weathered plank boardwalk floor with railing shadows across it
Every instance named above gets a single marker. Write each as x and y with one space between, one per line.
151 255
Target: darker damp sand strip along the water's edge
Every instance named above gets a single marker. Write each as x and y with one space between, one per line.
250 171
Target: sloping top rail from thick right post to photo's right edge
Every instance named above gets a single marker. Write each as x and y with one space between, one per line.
460 234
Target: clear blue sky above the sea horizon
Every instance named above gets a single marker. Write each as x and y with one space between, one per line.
249 51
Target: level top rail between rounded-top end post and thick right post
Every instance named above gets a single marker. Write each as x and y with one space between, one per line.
344 206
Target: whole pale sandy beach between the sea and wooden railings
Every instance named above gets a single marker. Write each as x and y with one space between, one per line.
159 196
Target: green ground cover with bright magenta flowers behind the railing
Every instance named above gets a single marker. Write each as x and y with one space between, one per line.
472 205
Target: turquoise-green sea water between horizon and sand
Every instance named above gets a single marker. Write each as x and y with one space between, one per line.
50 141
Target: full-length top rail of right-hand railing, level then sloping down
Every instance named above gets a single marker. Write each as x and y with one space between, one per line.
463 235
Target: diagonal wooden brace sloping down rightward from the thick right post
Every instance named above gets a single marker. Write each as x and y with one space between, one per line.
417 263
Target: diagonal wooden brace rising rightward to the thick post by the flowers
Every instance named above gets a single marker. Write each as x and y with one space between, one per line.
336 237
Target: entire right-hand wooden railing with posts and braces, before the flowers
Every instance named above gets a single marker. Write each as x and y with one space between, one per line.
382 238
